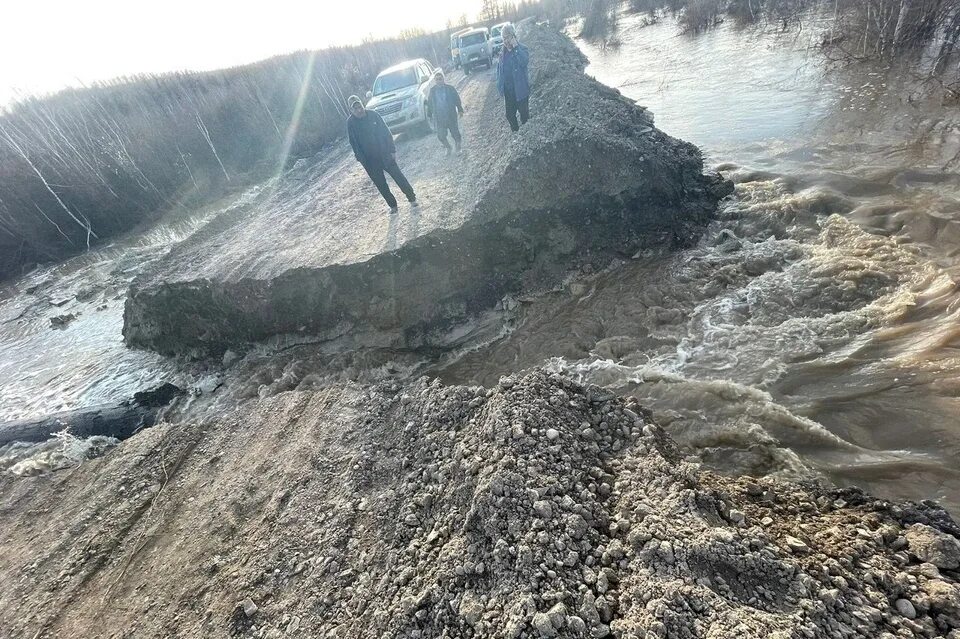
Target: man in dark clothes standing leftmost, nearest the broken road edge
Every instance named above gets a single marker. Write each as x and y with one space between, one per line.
373 147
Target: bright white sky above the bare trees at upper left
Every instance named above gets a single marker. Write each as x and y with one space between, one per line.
46 45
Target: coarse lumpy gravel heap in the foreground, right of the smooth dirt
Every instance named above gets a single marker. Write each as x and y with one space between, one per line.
545 509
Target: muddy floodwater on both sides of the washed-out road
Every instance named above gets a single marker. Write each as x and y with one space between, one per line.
812 332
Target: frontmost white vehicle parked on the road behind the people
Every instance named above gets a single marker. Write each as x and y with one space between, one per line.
400 95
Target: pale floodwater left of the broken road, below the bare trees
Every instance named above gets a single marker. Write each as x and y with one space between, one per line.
85 362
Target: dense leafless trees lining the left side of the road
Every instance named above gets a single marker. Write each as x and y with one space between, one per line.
85 164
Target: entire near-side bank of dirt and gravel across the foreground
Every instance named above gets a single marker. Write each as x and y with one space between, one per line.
539 508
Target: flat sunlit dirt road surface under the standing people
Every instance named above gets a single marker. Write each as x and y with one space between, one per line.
330 213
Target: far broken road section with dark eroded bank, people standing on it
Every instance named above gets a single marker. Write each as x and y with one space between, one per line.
586 180
